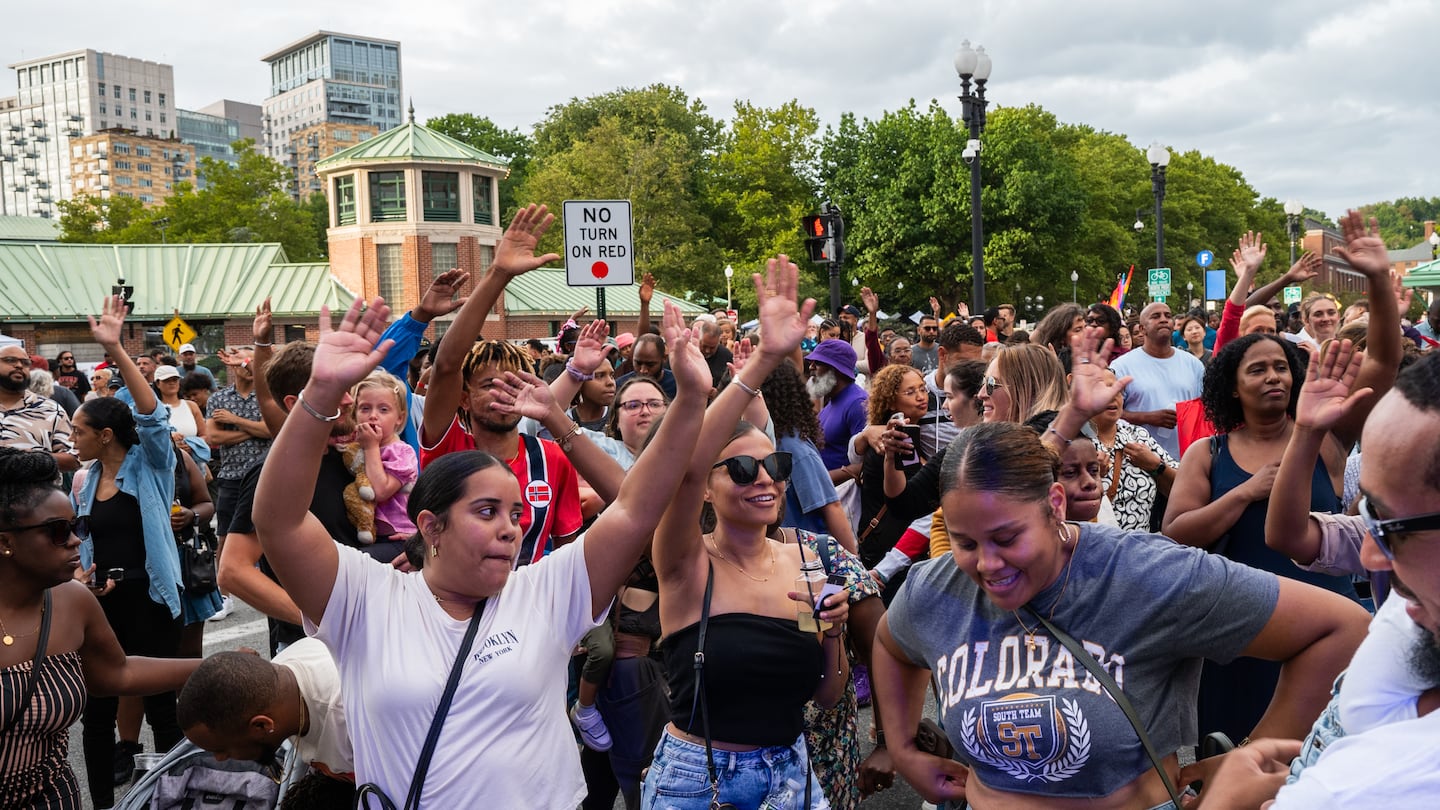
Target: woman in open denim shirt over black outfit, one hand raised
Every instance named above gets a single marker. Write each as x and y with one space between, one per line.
132 556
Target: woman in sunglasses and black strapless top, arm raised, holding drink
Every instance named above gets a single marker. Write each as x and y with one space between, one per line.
738 710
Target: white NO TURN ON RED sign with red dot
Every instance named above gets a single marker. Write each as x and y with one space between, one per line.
600 249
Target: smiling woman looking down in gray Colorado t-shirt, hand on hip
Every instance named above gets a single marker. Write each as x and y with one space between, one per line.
1030 724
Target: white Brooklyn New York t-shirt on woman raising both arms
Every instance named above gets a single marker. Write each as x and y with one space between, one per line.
506 742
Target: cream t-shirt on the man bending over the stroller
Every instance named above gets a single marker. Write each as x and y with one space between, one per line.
328 742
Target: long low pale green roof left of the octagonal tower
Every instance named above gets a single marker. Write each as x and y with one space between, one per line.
67 282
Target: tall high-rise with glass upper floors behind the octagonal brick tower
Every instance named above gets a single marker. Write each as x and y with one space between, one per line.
330 79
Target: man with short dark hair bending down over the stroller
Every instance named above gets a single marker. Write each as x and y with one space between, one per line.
241 707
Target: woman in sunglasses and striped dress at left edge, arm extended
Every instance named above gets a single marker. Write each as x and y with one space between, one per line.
40 556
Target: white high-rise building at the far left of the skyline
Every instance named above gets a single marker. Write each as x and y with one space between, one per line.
66 97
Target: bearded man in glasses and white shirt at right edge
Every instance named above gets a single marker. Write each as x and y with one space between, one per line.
1393 765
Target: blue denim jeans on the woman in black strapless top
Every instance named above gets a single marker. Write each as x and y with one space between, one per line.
770 779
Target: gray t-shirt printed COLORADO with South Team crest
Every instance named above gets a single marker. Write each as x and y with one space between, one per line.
1035 720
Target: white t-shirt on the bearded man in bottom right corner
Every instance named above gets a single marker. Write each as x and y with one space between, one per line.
1393 766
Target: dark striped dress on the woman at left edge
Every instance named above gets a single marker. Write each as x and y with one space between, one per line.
35 773
